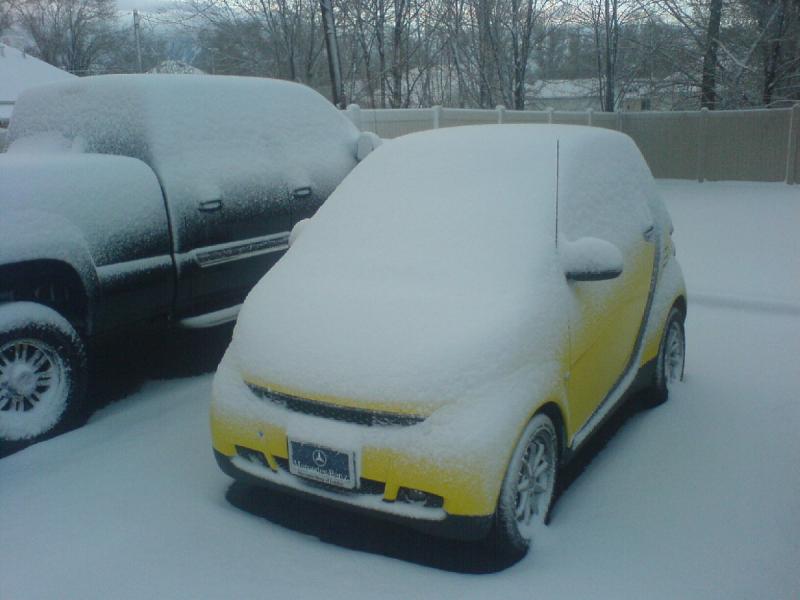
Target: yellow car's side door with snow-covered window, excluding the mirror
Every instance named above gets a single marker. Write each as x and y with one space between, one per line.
606 317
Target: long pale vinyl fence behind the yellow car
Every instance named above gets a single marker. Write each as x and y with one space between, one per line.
750 145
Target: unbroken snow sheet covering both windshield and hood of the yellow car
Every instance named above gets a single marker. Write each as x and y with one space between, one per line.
430 271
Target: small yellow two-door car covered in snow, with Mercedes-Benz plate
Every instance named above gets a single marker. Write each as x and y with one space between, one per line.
465 310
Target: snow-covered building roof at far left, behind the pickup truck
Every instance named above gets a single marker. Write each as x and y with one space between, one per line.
18 71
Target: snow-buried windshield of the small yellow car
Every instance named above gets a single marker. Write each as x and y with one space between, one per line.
452 205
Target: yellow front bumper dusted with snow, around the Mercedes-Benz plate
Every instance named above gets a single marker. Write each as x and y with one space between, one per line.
459 473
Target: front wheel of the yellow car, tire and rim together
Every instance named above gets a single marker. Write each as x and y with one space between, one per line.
533 465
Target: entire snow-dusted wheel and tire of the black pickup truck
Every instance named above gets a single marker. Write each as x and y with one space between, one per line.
42 372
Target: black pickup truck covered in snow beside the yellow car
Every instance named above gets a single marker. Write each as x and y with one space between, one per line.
146 199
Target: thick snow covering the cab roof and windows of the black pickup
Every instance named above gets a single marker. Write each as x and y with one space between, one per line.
204 135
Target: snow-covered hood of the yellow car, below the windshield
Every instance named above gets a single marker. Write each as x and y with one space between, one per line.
390 347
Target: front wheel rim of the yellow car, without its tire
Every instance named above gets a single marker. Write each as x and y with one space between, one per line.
535 481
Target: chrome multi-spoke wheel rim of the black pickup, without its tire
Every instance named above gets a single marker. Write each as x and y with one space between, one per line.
31 376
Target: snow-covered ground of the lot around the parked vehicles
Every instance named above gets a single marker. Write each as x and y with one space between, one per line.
695 499
